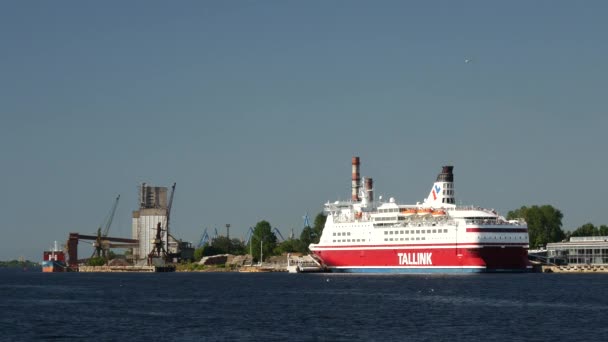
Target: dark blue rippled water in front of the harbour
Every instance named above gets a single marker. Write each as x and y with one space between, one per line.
302 307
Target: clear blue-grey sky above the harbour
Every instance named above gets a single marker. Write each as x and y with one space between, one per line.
255 108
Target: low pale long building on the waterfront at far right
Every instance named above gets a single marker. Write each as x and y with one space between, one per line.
580 250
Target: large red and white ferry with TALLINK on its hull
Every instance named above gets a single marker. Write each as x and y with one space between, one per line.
368 235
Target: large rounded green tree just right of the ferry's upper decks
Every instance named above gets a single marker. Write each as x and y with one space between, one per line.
544 223
